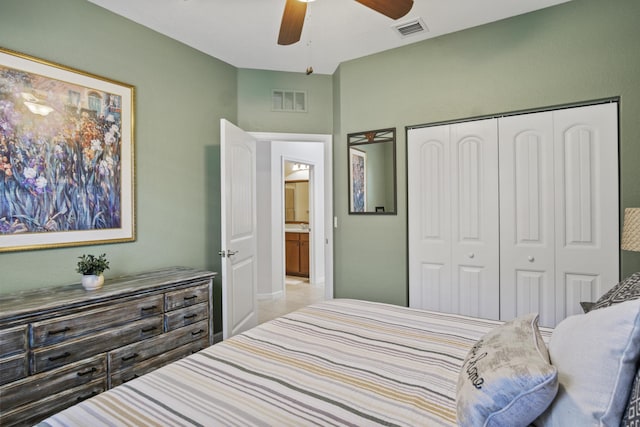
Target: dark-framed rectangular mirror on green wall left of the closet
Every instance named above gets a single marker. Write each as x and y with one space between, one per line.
372 172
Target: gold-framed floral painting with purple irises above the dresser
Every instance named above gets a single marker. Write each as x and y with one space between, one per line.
66 156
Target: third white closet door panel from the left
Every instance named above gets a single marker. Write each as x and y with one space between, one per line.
527 239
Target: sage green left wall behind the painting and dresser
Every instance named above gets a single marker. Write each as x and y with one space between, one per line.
180 95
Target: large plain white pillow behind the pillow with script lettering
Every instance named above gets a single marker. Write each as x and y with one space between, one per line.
596 355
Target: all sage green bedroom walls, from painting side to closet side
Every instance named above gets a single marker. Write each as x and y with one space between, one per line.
582 50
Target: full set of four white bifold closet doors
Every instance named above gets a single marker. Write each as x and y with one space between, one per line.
557 222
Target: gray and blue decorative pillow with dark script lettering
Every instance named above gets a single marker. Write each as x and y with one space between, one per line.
506 378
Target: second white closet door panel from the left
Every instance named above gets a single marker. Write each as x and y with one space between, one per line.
474 212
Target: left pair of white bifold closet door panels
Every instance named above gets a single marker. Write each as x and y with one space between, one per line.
453 218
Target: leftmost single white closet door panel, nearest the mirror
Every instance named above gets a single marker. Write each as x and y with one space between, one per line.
429 219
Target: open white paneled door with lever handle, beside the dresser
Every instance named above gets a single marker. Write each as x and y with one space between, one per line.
239 229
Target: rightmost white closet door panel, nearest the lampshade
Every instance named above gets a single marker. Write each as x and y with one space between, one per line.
587 229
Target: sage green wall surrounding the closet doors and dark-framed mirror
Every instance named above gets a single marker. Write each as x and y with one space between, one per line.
578 51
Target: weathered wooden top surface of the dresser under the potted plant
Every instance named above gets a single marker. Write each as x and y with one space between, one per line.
26 303
